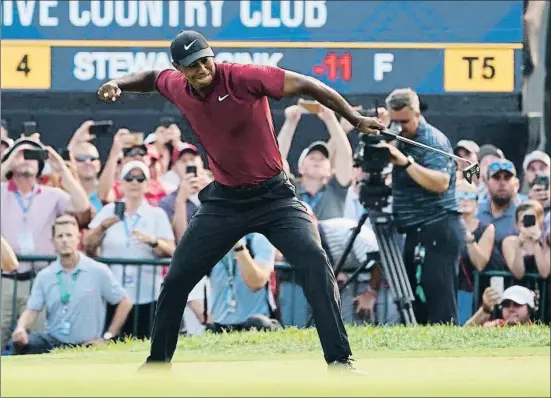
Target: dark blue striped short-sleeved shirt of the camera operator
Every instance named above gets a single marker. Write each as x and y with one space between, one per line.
412 204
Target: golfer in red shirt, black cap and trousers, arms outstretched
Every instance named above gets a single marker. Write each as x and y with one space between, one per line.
227 106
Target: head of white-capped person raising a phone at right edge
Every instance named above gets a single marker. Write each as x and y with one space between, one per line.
537 166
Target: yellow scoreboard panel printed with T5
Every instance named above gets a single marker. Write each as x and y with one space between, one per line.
479 69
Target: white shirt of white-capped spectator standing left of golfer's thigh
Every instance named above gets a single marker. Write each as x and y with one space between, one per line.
119 242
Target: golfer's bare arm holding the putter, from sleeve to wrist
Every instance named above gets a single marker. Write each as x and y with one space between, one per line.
297 84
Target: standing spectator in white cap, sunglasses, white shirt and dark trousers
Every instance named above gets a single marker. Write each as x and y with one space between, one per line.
143 233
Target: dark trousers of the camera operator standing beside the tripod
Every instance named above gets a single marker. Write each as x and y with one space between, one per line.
443 241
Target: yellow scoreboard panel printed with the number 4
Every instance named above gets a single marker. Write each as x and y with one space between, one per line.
26 68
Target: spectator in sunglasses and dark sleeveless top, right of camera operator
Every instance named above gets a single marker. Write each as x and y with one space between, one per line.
479 239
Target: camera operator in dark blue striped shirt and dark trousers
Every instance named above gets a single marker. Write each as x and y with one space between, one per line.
425 209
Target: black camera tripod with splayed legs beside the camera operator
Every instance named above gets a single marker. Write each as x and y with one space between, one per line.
392 263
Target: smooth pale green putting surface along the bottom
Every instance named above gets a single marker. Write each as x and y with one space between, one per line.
499 372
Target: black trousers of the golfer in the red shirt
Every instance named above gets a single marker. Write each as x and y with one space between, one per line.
226 215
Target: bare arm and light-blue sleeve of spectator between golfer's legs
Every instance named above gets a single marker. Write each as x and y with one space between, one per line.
256 271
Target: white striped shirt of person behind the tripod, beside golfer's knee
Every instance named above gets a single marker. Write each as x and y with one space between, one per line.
337 231
